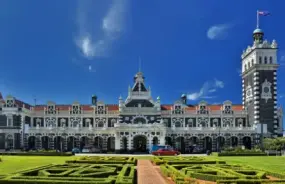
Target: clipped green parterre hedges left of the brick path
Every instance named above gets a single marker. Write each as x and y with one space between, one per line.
86 170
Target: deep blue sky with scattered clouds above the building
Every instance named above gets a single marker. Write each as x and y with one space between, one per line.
68 50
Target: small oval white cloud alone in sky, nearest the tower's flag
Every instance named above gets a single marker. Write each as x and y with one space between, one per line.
218 32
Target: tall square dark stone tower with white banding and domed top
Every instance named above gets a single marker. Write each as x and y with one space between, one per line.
259 82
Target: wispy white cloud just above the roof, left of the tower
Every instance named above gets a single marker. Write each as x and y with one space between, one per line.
207 89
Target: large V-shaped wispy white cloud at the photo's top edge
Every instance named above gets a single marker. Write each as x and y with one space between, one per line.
112 25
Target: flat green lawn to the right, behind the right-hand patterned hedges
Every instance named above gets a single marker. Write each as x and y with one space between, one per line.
270 163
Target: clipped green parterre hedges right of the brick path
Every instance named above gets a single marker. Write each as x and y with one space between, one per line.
202 168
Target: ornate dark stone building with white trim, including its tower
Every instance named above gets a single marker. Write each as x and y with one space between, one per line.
139 121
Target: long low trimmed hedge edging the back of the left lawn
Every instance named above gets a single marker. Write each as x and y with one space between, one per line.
37 153
